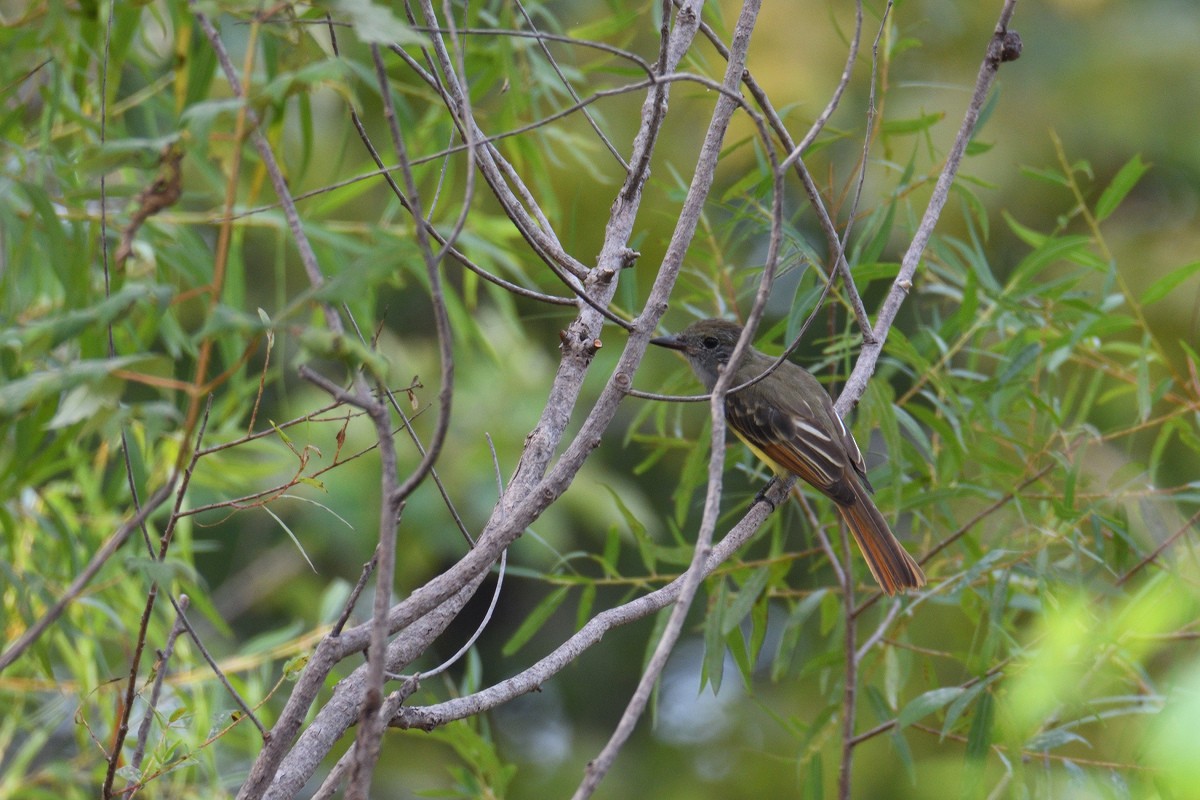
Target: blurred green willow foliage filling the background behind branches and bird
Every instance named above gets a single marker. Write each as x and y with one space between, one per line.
1033 426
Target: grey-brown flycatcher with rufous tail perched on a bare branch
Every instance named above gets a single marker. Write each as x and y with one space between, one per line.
789 422
